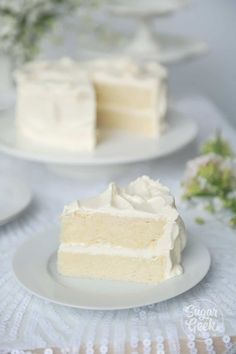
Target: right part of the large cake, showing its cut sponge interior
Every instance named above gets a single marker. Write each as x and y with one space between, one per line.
130 95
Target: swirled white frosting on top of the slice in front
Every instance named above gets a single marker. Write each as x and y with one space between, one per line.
142 198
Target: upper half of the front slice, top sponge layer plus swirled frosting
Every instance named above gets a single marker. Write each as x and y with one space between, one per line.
138 216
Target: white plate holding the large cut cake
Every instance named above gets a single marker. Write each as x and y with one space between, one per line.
116 147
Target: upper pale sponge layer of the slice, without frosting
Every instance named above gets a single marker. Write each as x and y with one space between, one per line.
96 228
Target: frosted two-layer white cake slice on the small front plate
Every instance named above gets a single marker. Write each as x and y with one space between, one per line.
133 233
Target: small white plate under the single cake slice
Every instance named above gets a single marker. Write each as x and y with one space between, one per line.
34 265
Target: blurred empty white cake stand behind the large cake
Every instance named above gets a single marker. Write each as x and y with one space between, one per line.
147 44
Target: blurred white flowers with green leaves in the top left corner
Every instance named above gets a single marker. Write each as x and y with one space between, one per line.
23 23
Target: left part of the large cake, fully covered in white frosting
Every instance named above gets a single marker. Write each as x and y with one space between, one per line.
56 105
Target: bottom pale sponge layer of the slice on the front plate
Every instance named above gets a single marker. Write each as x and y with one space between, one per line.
135 269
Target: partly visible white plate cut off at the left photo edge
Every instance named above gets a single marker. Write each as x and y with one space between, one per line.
15 197
